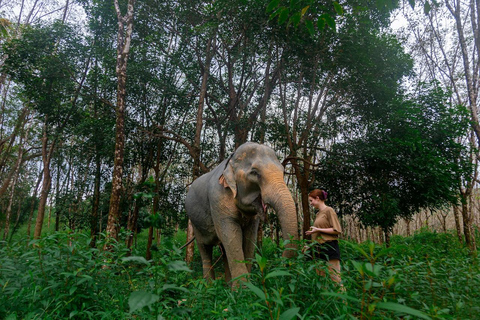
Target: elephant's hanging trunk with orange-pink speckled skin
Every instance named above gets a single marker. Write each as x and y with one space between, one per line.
278 196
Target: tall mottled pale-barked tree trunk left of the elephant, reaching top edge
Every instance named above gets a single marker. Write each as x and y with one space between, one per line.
125 28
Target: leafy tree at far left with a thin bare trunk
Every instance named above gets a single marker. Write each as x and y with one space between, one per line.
52 73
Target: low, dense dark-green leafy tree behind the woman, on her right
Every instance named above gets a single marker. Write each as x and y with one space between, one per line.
408 162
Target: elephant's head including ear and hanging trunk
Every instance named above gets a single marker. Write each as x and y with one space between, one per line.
255 177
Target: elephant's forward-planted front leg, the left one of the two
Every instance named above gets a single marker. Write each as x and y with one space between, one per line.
231 236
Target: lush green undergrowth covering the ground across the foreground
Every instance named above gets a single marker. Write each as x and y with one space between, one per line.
426 276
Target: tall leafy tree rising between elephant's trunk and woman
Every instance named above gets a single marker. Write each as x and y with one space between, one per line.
354 71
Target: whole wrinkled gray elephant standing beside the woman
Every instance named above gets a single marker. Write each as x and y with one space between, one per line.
226 205
